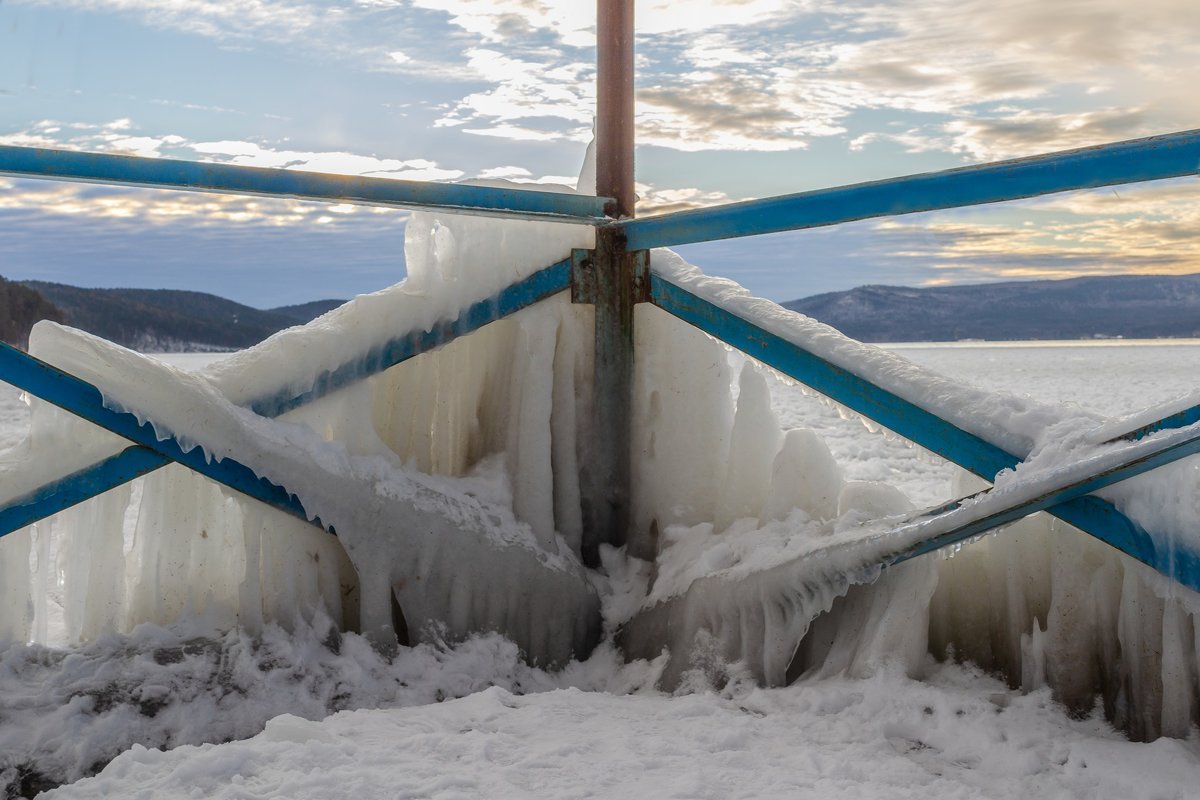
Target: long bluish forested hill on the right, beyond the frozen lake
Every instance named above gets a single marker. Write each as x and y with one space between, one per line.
1131 306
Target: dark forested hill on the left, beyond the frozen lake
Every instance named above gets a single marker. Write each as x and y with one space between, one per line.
171 321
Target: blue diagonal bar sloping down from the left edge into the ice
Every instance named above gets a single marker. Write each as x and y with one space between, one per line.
83 400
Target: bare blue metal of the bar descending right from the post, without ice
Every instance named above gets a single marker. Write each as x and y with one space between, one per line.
1089 514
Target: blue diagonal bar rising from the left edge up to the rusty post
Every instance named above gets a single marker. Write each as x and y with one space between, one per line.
135 462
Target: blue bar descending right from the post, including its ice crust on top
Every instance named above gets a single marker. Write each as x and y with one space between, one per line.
980 432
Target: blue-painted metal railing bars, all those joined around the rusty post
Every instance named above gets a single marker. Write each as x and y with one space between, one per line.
980 443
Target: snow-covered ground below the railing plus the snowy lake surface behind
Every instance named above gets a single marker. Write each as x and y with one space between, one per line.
429 726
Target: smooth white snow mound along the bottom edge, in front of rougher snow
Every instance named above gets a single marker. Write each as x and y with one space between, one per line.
959 735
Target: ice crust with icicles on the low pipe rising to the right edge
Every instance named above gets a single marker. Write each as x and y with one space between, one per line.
758 592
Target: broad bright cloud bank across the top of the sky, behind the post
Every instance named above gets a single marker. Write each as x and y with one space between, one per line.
766 75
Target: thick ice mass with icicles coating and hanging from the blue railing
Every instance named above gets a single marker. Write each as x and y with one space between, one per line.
499 424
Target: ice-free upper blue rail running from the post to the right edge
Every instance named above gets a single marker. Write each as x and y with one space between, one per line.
1173 155
